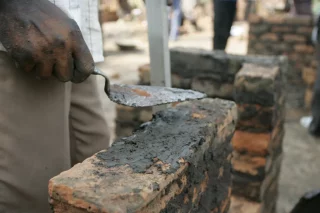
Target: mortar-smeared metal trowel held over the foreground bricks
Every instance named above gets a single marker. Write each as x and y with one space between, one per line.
145 96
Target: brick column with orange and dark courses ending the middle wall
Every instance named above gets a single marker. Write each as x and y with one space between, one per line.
257 142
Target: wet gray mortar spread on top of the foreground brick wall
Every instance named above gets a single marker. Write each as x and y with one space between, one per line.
171 135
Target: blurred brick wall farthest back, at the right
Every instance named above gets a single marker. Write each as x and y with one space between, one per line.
290 36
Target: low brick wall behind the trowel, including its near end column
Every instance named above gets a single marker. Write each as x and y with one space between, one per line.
256 85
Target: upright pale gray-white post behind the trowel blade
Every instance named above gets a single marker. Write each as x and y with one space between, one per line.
160 71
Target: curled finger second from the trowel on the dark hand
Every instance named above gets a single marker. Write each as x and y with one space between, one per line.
63 69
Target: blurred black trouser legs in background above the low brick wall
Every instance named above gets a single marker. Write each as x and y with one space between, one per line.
224 15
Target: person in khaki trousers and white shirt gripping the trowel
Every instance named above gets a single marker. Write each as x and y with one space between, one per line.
51 114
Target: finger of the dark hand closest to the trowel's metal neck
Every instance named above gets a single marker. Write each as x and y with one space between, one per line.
83 61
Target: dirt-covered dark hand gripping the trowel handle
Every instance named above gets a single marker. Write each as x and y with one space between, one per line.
43 40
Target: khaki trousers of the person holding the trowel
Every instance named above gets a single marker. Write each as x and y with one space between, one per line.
37 120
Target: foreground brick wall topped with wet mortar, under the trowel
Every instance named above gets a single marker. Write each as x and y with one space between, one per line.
179 162
